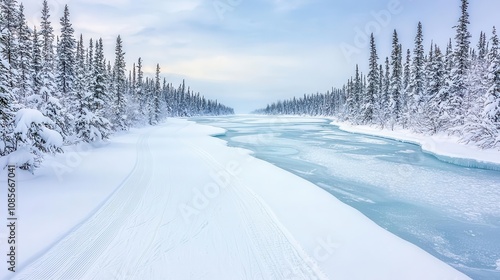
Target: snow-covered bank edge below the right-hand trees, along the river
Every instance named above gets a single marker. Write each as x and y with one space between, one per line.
445 148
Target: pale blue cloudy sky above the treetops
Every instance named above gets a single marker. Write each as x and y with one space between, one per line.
247 54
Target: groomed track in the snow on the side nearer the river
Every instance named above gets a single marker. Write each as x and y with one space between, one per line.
273 241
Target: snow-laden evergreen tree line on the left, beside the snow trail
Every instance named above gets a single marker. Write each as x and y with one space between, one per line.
57 91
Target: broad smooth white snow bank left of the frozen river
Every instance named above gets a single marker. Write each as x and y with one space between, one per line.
171 202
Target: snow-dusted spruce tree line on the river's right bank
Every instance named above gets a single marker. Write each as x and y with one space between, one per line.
453 90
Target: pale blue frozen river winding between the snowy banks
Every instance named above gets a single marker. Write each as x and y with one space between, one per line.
450 211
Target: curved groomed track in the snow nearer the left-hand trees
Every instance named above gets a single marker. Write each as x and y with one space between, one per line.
71 257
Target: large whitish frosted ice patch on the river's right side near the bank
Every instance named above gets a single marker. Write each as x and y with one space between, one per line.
470 195
